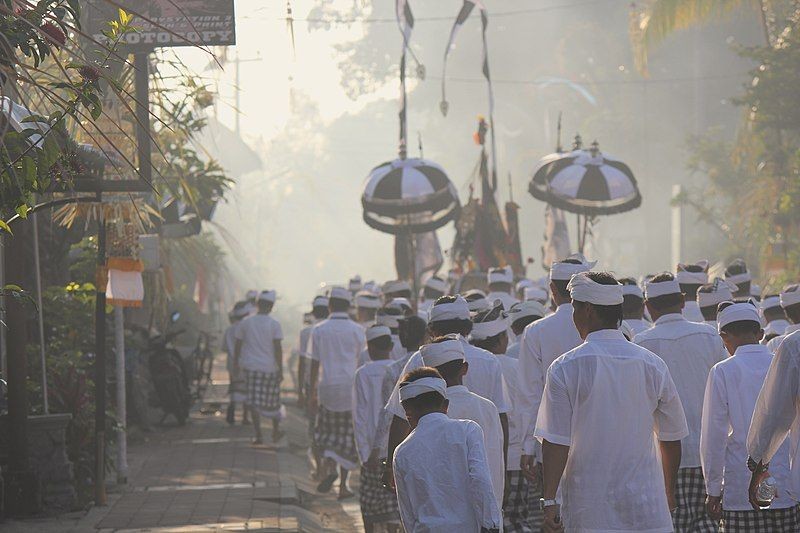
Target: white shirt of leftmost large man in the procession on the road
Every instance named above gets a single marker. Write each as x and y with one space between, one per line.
336 343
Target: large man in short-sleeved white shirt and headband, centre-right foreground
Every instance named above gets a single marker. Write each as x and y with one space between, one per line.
610 474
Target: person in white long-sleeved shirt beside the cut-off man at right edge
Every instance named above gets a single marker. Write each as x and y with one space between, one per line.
730 399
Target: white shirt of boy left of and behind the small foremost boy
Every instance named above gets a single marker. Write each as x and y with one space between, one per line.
367 407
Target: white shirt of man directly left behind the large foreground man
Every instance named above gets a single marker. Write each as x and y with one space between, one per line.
542 342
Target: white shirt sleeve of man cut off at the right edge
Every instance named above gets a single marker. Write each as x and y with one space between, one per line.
777 412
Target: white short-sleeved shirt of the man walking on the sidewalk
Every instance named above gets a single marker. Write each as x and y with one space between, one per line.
258 334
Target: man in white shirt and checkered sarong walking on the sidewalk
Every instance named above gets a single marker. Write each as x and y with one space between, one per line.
260 355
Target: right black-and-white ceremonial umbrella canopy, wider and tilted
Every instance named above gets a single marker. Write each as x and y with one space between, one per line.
586 182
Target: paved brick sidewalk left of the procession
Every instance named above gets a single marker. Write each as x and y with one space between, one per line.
206 476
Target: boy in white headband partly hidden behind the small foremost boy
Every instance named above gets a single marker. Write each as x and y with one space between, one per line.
446 355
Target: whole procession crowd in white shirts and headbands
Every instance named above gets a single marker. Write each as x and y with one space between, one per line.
579 402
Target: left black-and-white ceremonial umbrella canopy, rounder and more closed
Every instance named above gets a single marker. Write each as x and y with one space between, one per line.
409 196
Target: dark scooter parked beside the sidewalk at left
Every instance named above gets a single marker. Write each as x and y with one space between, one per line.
169 375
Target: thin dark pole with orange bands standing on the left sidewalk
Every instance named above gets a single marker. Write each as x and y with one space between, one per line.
100 361
